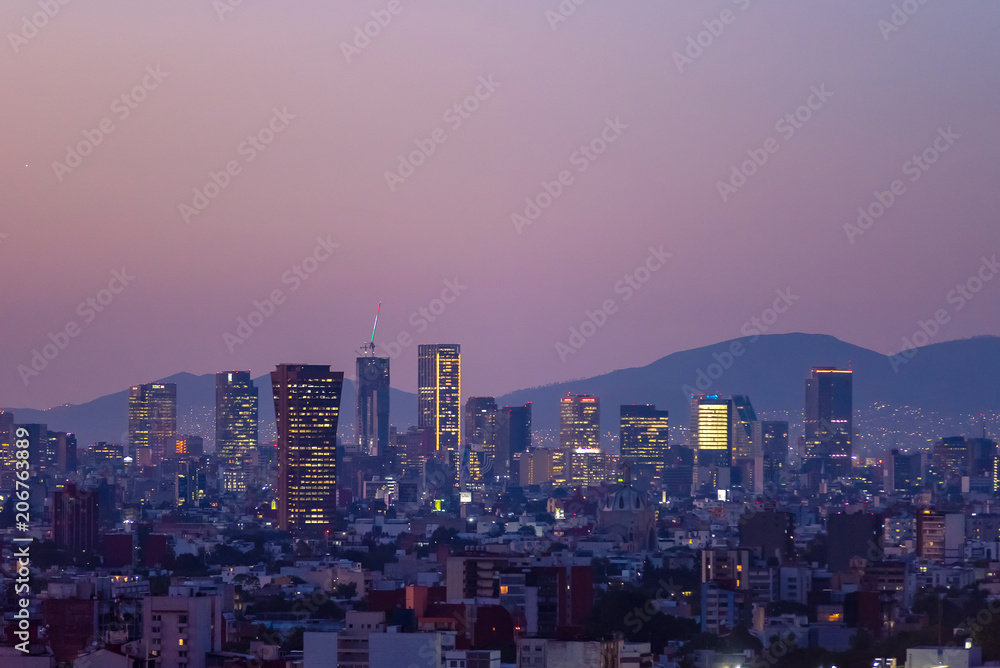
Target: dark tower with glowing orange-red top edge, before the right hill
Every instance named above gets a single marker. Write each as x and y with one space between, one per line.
829 421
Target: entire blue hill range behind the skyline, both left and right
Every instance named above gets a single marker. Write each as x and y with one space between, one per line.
950 378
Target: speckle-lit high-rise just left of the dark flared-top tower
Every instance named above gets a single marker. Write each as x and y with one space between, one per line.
235 426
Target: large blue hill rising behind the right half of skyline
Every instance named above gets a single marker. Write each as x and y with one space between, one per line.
953 377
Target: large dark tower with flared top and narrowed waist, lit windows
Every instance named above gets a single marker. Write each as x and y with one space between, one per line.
306 410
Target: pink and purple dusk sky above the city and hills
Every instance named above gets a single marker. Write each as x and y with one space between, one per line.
199 82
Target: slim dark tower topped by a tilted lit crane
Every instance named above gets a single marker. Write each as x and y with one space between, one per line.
372 425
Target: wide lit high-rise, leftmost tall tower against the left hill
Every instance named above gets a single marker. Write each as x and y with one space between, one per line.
152 419
